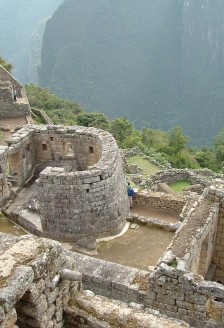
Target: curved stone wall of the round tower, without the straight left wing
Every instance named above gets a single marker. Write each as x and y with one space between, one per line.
90 200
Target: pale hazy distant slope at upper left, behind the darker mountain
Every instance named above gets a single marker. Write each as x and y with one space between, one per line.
22 24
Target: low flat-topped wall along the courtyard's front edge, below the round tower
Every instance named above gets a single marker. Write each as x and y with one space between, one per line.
113 280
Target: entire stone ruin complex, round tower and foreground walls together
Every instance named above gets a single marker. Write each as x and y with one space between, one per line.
80 192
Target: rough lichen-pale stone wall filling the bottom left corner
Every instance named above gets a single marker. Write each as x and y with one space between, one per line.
34 289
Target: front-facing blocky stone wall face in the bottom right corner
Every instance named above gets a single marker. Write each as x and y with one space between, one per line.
186 296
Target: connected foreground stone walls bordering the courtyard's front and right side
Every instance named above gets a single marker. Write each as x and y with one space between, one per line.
43 285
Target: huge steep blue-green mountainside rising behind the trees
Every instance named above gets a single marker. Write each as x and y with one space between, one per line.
158 62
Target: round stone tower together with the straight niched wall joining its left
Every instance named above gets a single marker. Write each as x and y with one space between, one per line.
81 187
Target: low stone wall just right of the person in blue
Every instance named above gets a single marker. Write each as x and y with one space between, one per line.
157 200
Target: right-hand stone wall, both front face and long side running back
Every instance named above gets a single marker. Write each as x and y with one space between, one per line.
175 287
